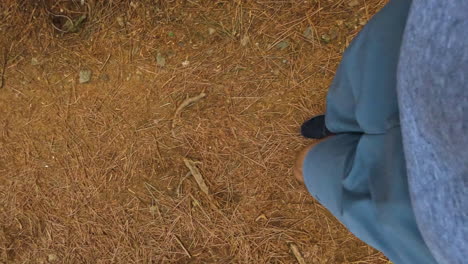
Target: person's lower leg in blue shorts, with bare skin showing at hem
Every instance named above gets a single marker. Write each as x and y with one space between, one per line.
361 179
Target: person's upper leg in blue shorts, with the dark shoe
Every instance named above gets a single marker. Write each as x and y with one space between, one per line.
362 97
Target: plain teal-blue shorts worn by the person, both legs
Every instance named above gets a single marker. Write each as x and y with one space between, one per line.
360 173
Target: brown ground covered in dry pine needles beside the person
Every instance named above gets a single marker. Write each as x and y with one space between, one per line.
93 173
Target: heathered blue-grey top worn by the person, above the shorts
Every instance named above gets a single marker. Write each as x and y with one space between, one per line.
433 102
